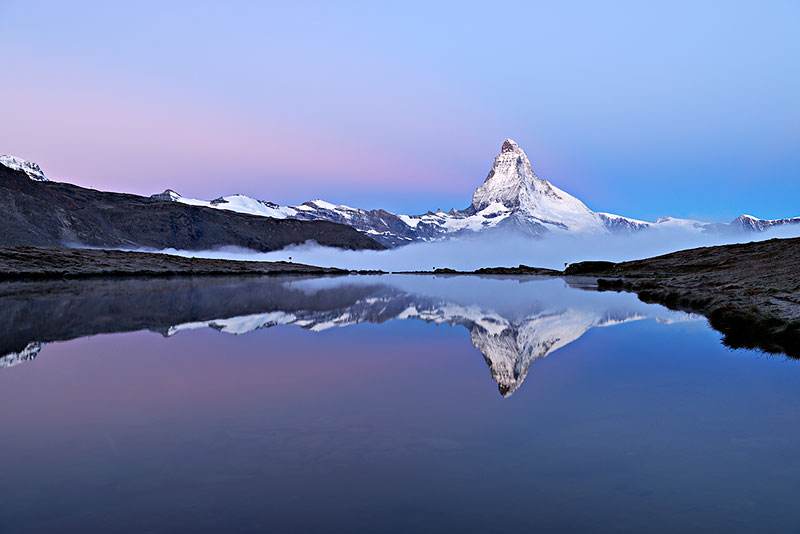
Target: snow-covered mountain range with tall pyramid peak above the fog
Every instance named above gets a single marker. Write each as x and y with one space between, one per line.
511 197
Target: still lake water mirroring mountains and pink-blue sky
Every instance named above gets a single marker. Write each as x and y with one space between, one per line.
383 404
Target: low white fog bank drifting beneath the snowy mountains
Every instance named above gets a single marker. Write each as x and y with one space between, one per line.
494 249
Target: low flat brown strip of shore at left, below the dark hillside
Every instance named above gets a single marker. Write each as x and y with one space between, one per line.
40 263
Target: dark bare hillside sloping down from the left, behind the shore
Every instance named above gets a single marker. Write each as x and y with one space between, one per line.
51 214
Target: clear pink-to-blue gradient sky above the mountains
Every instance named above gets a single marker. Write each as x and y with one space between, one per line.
640 108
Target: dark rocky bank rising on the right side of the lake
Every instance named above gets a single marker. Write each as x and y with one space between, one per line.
750 292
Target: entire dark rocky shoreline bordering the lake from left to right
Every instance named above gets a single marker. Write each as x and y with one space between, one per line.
750 292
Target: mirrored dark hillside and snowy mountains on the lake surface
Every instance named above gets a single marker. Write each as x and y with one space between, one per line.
509 342
